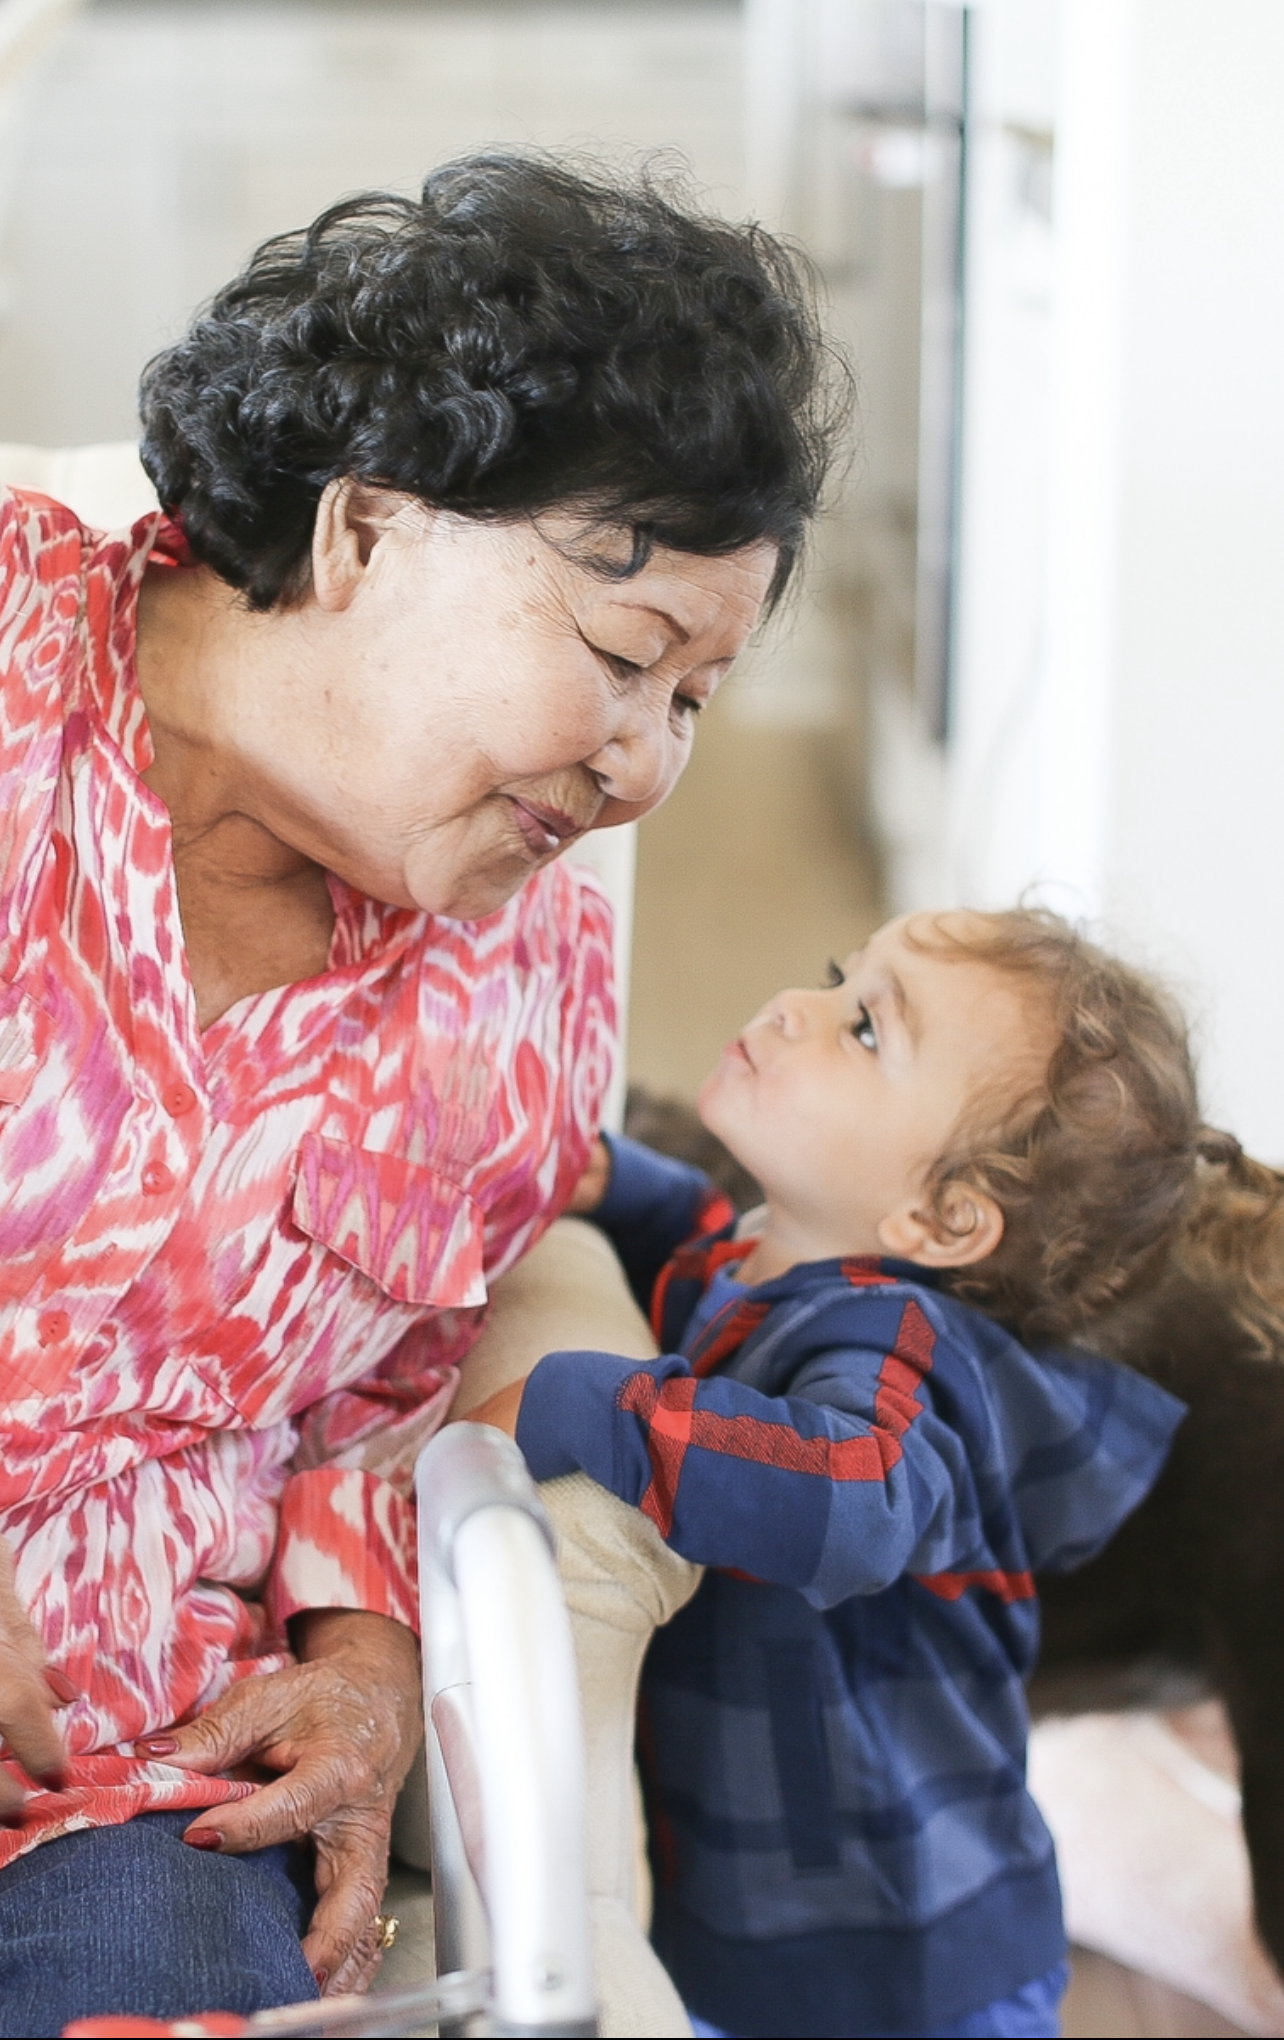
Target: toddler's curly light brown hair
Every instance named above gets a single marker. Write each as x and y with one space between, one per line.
1103 1168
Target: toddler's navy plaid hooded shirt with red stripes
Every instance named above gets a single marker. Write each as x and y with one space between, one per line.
834 1729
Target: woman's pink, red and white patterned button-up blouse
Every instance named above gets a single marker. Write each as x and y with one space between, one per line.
228 1258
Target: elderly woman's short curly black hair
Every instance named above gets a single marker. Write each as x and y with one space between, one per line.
515 340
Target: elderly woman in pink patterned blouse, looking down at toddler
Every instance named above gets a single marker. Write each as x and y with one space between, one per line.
471 503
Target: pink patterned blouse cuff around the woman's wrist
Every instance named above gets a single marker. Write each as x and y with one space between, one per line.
346 1541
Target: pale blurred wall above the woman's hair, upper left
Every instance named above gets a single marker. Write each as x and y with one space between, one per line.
164 142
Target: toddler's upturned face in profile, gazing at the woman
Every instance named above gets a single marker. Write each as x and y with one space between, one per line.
842 1101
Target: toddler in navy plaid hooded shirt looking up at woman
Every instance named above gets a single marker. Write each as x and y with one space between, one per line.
867 1425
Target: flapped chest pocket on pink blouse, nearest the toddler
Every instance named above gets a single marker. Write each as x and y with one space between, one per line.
415 1233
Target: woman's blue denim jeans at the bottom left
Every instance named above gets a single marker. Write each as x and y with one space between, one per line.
134 1921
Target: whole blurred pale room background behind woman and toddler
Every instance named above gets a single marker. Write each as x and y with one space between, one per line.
1040 644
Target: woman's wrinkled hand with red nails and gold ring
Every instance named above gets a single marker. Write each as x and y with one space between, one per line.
342 1731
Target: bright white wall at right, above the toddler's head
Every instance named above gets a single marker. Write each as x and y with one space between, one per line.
1122 686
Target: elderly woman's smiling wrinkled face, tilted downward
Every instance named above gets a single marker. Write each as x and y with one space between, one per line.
481 695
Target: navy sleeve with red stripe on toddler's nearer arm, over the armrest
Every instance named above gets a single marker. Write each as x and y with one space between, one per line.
838 1488
